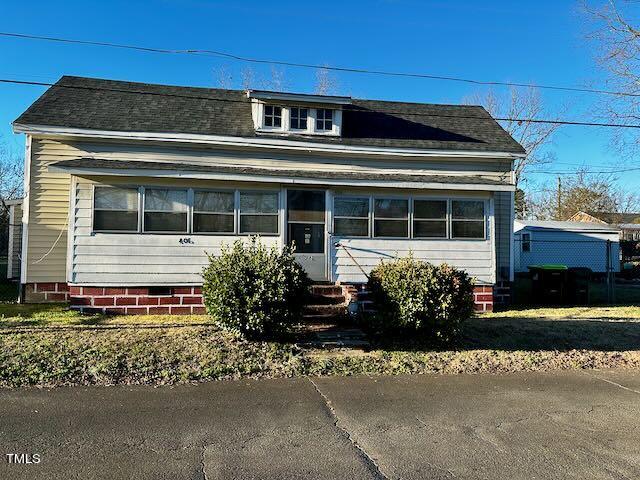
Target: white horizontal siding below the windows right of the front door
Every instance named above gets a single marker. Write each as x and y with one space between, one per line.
473 256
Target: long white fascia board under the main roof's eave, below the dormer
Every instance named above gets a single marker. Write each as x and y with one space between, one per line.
257 142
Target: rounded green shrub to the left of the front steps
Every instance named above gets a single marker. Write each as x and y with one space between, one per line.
255 290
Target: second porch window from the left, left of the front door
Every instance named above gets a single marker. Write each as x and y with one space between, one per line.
165 210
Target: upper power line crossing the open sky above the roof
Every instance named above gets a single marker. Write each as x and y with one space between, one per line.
389 73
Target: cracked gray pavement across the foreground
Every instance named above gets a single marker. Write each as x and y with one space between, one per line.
562 425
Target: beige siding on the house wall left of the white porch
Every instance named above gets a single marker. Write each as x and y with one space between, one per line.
48 198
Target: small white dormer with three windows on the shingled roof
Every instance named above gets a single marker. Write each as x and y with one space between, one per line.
297 114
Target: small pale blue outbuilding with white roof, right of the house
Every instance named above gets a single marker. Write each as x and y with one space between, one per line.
574 244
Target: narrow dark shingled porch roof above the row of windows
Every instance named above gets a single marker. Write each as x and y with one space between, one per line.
102 164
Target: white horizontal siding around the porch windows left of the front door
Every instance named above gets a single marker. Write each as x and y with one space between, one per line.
138 259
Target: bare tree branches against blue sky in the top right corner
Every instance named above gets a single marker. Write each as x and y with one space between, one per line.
617 42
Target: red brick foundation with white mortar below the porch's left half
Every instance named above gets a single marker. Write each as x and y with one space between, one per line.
136 300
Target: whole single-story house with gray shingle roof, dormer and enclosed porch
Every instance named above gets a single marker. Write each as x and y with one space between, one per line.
129 185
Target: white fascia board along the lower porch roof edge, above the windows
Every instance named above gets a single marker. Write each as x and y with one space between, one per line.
281 179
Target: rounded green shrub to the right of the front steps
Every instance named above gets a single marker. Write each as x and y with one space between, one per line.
414 296
